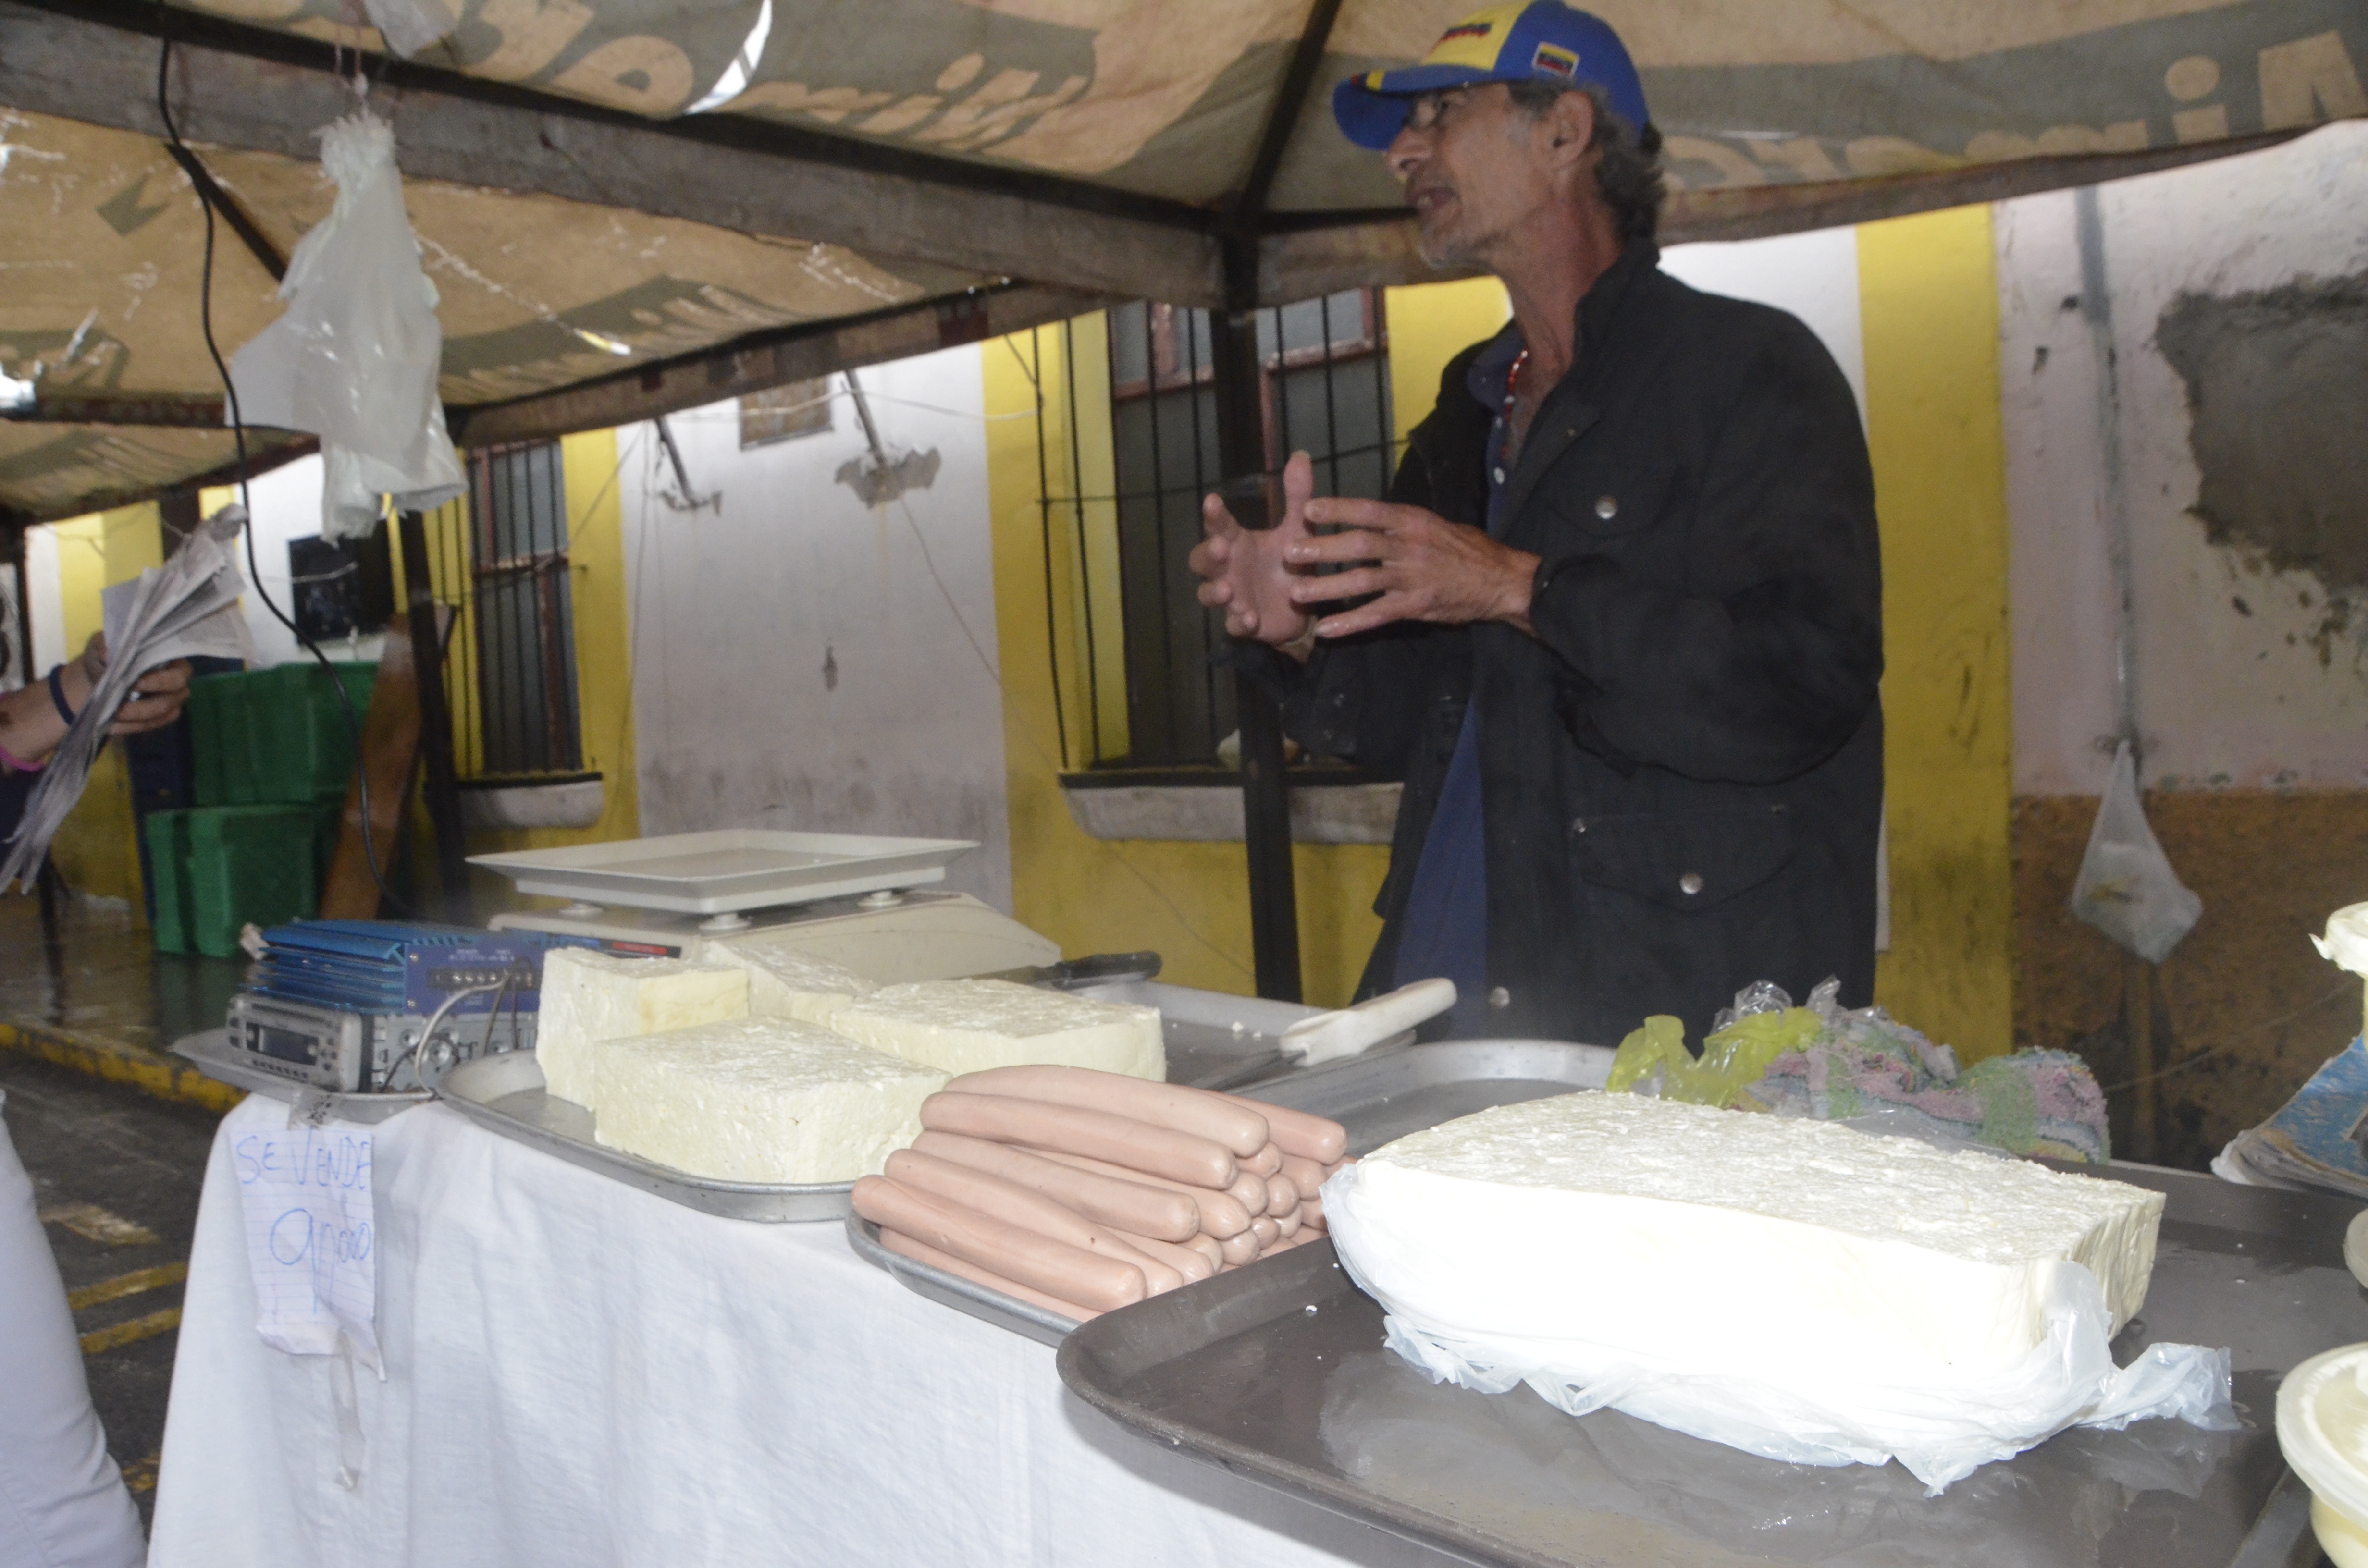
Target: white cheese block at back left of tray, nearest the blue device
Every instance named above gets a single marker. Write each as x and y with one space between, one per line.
600 996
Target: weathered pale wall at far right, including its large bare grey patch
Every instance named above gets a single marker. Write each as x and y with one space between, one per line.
2234 394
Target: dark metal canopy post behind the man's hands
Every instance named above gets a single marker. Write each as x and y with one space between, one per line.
1266 797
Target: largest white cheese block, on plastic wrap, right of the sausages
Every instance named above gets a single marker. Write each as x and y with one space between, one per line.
1727 1242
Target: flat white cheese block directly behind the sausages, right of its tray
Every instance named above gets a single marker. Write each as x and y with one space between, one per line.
965 1027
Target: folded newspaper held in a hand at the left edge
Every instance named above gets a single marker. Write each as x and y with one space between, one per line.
181 610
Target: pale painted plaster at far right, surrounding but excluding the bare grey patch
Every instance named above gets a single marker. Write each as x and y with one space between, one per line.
2265 695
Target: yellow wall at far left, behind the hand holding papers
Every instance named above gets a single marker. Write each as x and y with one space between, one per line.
96 849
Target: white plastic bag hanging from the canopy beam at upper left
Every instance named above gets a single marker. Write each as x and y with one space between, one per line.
359 352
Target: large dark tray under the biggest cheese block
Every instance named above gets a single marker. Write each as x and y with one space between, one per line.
1278 1373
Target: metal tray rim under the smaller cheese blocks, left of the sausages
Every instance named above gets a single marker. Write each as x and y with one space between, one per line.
506 1095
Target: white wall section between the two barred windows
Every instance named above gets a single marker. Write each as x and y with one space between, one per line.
799 660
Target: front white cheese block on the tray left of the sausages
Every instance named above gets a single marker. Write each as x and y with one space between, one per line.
759 1100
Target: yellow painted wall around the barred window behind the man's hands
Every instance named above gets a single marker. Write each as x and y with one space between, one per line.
1185 901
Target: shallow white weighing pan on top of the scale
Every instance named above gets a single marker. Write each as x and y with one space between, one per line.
728 870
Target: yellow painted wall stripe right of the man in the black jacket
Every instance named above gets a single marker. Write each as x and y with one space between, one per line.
1929 309
